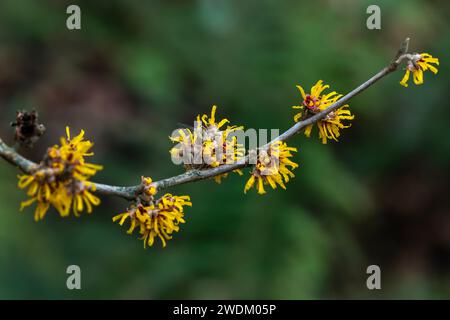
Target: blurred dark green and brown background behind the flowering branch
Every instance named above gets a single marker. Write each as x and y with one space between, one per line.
139 68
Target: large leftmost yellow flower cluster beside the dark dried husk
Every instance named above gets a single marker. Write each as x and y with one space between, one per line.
62 179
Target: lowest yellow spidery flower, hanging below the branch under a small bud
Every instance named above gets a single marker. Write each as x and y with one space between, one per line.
160 218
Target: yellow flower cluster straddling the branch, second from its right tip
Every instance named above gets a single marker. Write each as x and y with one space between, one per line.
317 101
